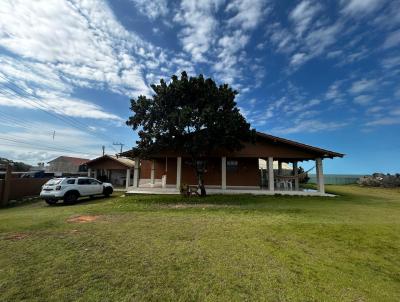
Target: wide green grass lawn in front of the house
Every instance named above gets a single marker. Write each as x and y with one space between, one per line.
220 248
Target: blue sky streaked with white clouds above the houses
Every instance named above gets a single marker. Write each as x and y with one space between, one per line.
325 73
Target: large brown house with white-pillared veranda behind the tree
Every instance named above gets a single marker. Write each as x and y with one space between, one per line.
231 172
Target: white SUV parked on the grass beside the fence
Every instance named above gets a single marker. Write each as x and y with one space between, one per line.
70 189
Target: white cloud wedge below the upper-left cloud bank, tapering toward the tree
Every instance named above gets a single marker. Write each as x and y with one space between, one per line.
35 84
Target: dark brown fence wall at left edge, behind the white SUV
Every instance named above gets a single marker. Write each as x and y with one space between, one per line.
18 188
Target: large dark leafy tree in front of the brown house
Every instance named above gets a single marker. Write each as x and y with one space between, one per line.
190 115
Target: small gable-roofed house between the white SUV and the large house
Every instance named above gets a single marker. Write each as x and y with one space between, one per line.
111 169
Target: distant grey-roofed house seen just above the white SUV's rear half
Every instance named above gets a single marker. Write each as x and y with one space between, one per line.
67 165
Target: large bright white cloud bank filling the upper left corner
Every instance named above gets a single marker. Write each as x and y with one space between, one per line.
83 41
